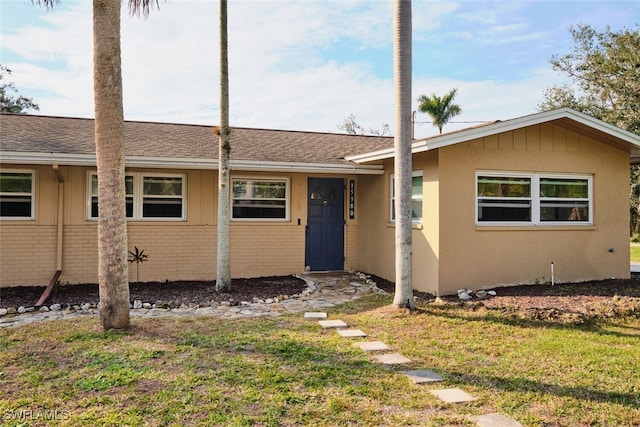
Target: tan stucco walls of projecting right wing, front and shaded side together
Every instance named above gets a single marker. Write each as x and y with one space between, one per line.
451 252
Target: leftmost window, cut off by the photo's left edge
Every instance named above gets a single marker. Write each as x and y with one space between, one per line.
16 194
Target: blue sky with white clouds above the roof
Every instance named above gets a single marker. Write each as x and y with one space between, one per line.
302 64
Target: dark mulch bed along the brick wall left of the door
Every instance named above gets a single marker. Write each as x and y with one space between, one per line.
165 294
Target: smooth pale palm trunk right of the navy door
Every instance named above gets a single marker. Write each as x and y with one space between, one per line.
402 150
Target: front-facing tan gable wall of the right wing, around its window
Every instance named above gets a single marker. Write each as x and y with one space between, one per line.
482 257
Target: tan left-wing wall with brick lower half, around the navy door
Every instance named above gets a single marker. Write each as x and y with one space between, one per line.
177 250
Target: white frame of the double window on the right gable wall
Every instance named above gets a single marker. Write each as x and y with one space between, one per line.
536 199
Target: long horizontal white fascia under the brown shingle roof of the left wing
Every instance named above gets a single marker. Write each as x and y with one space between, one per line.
31 158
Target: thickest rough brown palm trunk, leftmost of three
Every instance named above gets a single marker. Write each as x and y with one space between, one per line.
113 269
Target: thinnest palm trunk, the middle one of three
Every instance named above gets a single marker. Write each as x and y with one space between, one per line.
223 274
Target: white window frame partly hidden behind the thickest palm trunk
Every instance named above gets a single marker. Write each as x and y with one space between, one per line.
138 196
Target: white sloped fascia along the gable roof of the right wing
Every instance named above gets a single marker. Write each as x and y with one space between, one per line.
440 141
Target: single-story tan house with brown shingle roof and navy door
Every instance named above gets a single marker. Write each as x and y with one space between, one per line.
494 205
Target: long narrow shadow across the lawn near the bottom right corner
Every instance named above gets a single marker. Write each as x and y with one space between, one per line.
526 385
